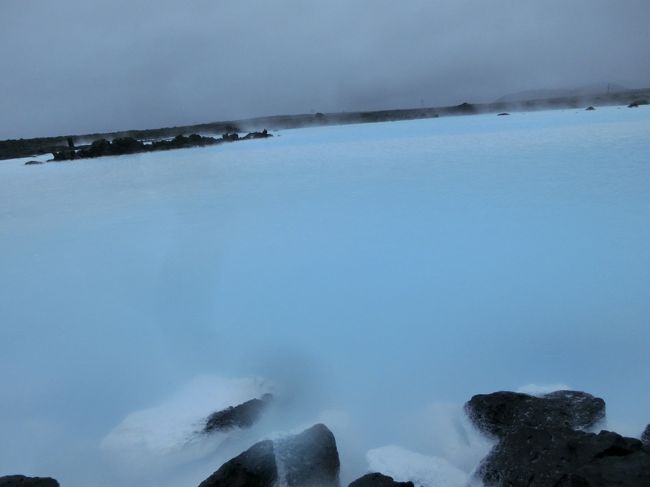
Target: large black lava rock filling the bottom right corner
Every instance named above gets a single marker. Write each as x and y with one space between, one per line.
566 458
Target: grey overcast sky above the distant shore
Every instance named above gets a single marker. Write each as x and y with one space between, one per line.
78 66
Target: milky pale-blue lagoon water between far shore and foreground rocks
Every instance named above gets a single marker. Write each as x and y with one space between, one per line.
373 270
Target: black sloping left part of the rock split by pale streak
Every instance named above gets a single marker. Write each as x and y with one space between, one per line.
253 468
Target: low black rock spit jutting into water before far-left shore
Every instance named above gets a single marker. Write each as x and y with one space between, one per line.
130 145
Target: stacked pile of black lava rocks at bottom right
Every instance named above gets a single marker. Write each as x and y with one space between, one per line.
541 442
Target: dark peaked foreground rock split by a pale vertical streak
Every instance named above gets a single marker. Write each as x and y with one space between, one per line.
309 459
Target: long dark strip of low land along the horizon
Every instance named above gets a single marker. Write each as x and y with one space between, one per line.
17 148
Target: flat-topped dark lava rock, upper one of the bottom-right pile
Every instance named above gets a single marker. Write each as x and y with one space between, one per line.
500 413
